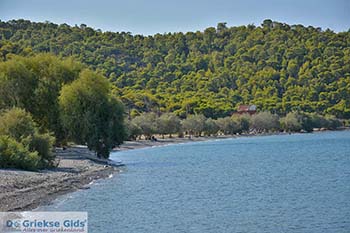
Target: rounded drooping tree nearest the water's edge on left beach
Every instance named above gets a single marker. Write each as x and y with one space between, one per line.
91 115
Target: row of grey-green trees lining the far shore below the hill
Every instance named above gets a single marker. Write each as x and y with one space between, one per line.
149 124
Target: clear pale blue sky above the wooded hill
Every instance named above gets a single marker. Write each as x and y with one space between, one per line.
149 17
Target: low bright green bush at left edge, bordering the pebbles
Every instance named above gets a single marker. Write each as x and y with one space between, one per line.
15 155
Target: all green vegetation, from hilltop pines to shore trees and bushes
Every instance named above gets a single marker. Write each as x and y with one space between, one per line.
61 84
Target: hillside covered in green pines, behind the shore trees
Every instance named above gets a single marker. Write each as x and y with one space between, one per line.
278 67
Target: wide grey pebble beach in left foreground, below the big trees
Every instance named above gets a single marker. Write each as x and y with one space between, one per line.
25 190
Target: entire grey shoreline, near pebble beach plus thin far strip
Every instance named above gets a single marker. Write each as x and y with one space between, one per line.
78 167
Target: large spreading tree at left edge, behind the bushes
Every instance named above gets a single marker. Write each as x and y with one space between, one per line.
34 84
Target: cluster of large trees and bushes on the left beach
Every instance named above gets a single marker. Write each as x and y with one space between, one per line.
46 100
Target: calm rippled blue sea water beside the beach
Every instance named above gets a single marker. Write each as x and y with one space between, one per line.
292 183
